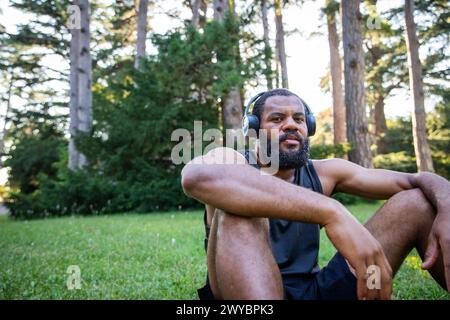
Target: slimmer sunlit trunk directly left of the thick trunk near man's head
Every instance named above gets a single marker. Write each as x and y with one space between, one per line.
336 80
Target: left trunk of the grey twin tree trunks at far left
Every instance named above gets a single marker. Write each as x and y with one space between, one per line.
74 103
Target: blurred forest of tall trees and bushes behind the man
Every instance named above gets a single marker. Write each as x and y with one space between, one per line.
88 105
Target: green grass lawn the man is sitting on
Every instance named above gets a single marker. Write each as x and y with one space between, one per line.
135 256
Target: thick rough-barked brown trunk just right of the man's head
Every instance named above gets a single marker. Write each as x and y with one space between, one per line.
357 128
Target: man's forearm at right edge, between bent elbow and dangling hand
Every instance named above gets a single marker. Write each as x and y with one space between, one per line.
435 188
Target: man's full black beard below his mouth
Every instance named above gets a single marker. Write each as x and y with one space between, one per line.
290 159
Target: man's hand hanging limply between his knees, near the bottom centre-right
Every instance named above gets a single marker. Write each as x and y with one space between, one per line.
361 250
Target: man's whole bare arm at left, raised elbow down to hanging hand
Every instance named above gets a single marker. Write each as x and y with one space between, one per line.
243 190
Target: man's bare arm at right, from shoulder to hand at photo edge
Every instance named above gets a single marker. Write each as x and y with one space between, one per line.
344 176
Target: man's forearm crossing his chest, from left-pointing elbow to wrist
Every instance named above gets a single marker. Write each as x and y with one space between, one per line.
242 190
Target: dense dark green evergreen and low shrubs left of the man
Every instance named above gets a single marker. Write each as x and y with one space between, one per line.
135 113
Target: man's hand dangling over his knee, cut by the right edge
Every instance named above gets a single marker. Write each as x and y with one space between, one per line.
439 242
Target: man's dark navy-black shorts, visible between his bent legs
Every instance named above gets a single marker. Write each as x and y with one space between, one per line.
333 282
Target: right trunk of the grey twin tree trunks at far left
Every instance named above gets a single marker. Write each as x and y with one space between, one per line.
85 78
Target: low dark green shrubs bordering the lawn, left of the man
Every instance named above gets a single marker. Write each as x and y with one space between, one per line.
87 193
